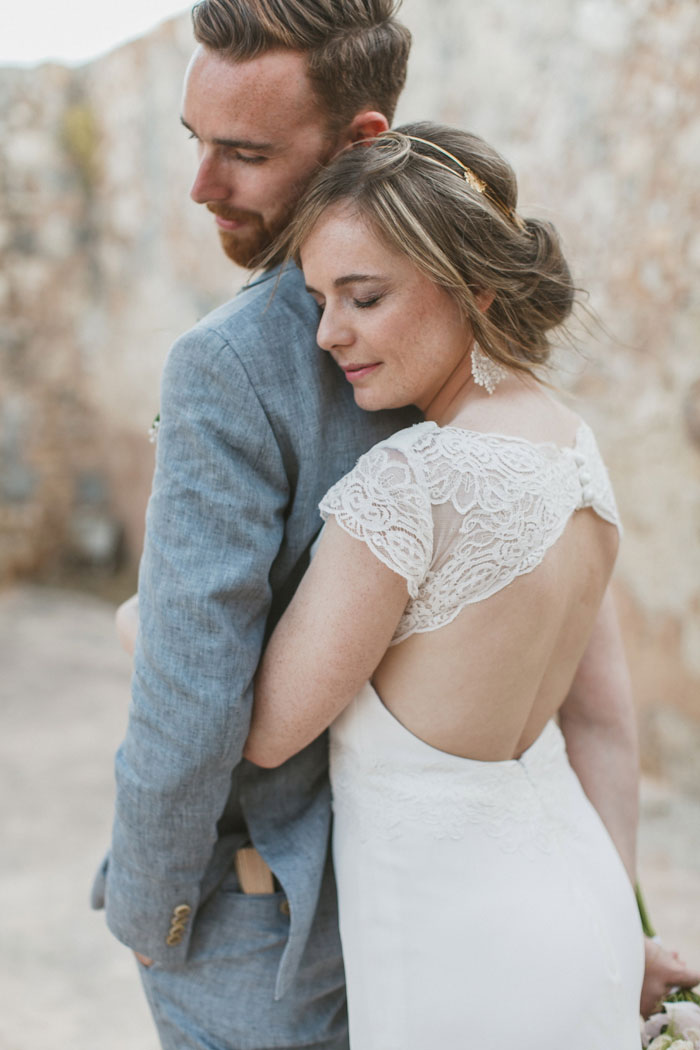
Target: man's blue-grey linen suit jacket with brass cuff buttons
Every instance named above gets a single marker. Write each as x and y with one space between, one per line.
257 425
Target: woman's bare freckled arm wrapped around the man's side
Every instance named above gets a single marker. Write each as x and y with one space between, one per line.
328 644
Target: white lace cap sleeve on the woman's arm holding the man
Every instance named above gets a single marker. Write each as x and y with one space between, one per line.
384 502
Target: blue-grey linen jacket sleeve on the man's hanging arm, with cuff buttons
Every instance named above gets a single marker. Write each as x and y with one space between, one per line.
215 527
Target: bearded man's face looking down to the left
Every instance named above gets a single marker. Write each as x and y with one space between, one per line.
261 139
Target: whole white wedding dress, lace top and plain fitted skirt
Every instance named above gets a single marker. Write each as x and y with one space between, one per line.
482 905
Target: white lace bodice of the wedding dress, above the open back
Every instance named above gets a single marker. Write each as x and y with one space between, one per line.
461 514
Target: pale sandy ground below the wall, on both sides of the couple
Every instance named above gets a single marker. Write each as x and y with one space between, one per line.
66 984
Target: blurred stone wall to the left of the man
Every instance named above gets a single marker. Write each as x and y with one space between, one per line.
104 265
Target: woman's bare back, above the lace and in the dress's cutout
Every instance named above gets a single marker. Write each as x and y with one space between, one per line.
485 685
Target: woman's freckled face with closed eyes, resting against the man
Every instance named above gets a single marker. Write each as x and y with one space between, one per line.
397 335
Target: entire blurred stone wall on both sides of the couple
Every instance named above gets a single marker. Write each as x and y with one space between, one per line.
597 104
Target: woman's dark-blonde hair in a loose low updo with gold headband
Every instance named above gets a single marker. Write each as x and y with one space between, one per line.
466 240
